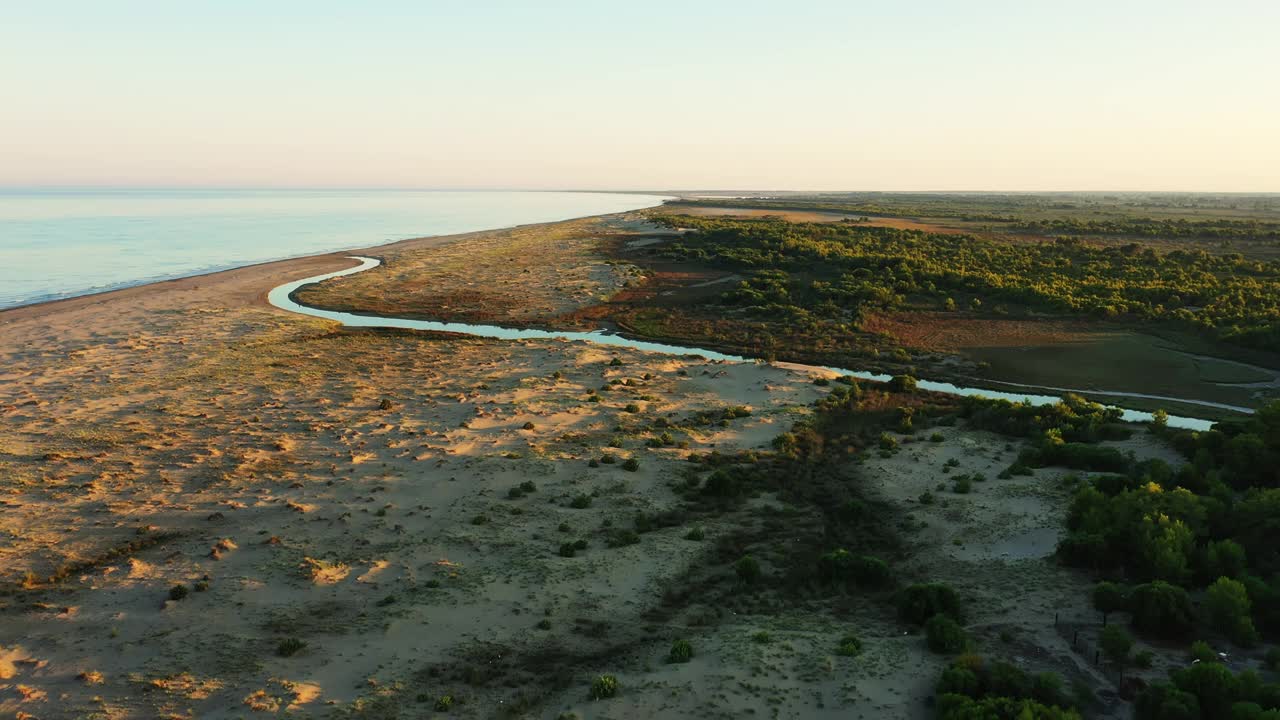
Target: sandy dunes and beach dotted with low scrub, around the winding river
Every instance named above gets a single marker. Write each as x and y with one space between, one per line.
218 509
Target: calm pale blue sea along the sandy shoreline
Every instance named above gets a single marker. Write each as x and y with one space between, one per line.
61 244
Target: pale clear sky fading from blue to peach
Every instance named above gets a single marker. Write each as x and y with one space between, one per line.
1025 95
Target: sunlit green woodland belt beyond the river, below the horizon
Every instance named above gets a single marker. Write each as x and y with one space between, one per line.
821 274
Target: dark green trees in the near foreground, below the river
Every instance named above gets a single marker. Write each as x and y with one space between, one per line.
1187 553
